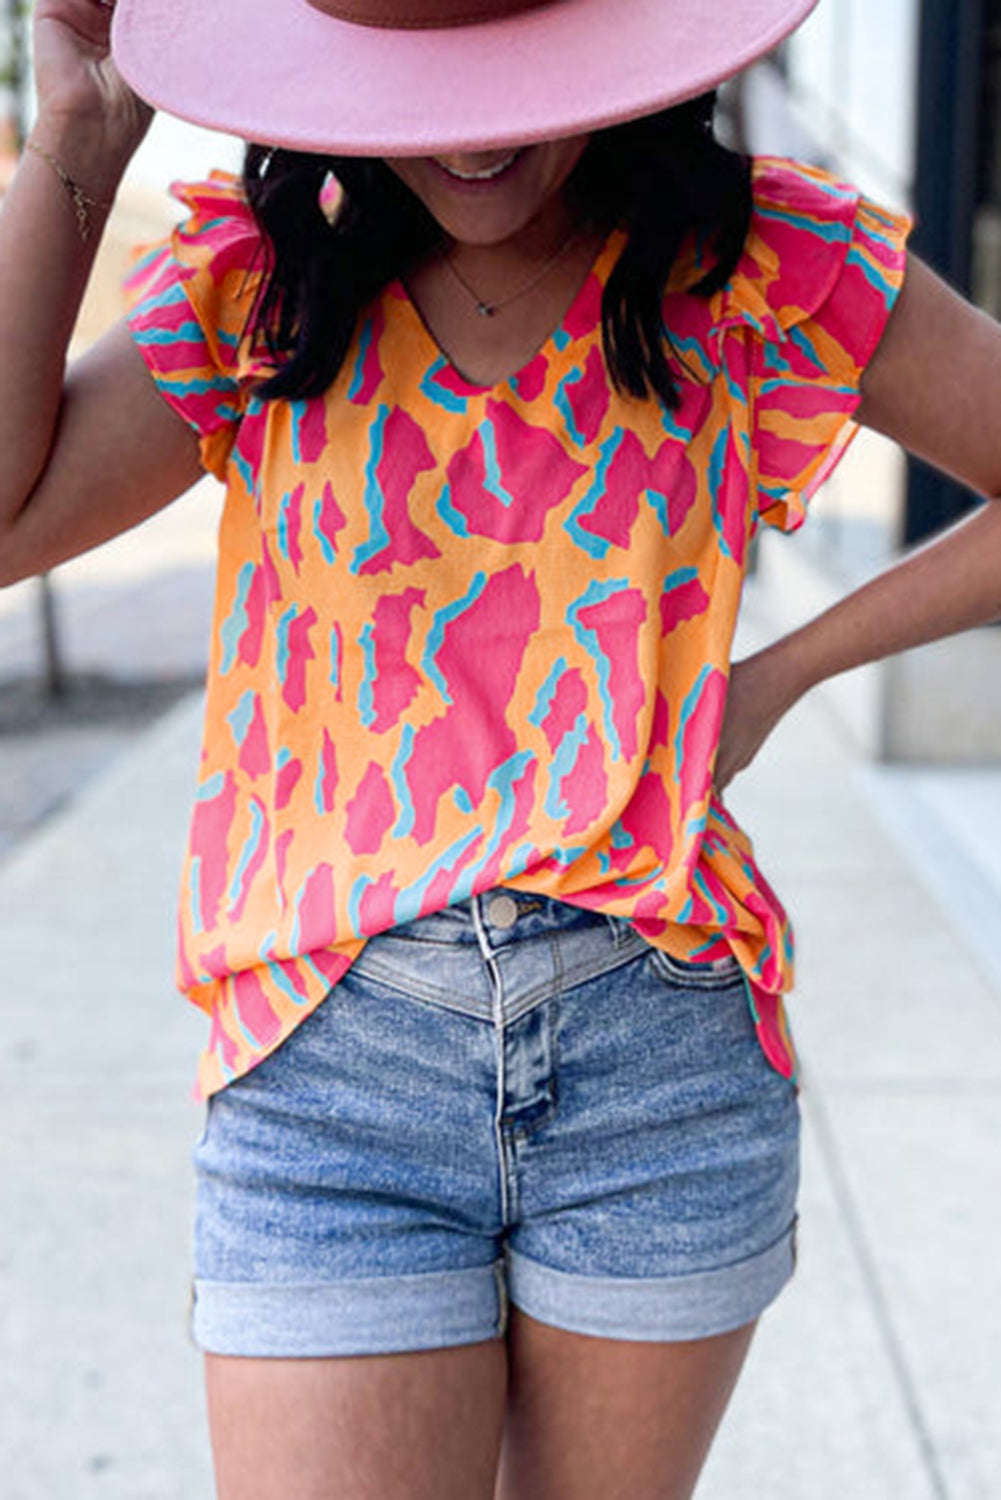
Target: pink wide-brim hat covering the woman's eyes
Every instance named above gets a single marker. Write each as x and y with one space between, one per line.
425 77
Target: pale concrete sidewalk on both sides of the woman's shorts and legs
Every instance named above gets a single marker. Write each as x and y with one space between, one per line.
876 1378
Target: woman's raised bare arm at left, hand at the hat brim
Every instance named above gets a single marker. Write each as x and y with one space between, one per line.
86 458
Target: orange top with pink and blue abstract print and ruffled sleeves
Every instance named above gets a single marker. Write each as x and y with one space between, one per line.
481 637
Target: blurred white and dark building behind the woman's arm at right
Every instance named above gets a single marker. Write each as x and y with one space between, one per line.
903 98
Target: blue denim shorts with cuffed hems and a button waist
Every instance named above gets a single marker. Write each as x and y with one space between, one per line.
516 1100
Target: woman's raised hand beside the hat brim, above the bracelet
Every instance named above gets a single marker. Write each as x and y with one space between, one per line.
77 80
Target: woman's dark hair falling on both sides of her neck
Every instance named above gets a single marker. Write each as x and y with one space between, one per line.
663 179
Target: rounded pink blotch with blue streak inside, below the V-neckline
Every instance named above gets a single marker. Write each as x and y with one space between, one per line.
511 476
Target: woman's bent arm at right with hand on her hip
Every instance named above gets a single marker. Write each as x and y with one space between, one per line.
936 388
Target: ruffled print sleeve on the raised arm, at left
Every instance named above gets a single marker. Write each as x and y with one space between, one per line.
190 299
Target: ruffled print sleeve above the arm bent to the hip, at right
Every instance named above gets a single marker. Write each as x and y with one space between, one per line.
822 271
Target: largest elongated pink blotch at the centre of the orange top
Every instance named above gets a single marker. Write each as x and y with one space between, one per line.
473 739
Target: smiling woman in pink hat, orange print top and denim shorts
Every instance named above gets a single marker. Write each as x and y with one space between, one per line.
502 359
